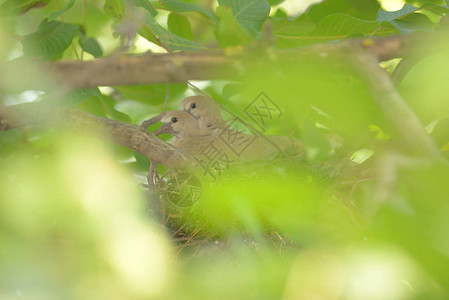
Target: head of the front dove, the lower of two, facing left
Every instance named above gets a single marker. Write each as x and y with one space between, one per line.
179 124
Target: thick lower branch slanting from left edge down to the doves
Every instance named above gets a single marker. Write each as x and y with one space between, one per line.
128 135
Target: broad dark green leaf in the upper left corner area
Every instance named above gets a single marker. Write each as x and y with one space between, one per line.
50 40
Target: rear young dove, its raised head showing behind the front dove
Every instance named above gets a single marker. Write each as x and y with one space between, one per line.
210 120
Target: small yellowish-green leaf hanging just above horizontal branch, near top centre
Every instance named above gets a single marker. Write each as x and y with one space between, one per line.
229 32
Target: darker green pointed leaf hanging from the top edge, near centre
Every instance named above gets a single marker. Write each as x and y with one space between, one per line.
250 14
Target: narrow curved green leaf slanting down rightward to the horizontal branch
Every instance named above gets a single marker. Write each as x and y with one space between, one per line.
169 39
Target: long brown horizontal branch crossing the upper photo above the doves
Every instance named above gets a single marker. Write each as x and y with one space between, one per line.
201 65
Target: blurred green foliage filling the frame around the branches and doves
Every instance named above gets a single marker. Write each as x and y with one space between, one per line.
360 217
